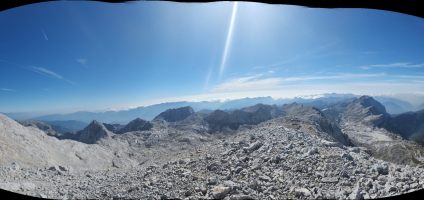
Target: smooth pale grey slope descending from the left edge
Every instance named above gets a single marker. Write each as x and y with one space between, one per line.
30 146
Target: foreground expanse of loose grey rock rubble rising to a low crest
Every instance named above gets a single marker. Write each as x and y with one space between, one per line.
277 159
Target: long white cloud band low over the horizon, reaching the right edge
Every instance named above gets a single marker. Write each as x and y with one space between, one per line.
290 91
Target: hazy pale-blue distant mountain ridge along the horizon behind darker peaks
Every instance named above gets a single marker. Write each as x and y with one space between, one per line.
393 106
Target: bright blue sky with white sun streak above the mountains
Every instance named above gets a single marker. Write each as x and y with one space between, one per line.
69 56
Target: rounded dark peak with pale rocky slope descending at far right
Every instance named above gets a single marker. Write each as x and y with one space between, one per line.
364 121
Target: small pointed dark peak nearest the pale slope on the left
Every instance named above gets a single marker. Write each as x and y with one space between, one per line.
93 133
